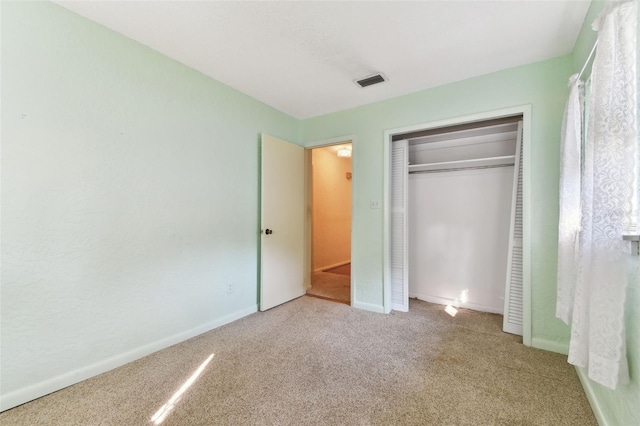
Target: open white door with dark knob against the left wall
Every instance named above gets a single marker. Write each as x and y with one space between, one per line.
282 222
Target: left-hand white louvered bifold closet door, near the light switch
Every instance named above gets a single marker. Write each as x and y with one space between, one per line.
399 226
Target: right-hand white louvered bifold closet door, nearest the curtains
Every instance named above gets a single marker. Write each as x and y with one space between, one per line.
513 300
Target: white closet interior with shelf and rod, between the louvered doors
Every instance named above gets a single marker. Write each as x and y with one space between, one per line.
460 202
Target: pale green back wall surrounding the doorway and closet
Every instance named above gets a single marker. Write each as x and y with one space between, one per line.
544 86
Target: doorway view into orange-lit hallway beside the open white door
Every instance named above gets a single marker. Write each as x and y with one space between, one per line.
330 212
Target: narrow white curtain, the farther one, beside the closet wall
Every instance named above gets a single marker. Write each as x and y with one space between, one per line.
569 220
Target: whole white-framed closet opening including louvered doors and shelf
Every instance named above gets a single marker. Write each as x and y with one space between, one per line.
455 208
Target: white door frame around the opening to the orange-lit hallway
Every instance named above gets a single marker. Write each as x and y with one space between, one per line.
308 200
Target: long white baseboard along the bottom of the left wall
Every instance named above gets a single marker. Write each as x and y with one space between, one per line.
31 392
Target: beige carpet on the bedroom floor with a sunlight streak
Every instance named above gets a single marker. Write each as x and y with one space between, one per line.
320 363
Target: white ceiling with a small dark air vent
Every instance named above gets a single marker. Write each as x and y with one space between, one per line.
302 57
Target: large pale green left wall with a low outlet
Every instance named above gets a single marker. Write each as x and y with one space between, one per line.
129 200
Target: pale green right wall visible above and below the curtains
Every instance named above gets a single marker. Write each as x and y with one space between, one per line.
619 407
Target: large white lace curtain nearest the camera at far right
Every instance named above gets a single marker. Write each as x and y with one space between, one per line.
609 200
